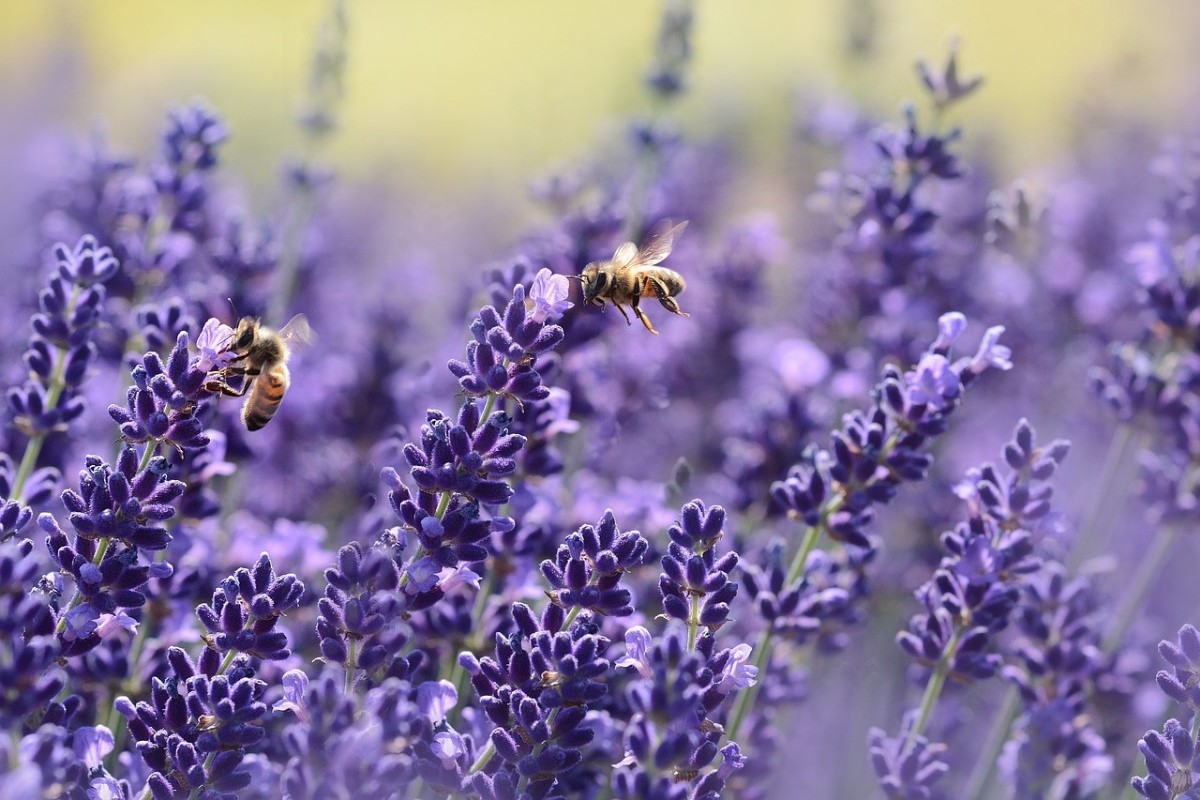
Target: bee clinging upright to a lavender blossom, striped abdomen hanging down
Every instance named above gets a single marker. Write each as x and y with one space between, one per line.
262 360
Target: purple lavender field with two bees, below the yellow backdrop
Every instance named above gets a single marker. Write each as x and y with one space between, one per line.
892 494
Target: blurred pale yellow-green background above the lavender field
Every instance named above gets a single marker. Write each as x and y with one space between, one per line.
459 93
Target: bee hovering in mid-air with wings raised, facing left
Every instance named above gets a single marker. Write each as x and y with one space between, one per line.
634 273
